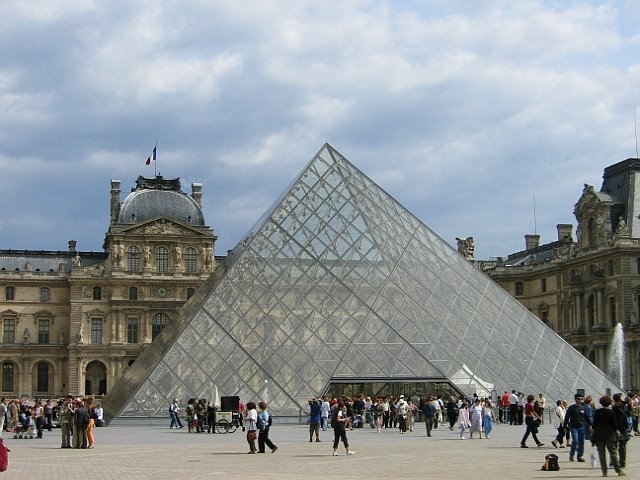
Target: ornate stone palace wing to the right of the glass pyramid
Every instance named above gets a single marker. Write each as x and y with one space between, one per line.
584 288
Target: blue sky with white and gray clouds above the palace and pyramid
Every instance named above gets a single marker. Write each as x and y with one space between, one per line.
463 111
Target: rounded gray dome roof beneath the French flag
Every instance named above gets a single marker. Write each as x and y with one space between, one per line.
143 205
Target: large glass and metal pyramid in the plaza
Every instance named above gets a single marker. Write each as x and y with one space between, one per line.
339 281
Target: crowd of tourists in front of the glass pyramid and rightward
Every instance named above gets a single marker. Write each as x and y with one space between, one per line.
608 426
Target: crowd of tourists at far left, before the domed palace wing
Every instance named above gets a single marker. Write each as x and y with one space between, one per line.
76 417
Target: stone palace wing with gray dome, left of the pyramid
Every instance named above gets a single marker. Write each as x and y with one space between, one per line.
73 322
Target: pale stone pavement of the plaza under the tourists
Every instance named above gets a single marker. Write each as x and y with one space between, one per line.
152 452
